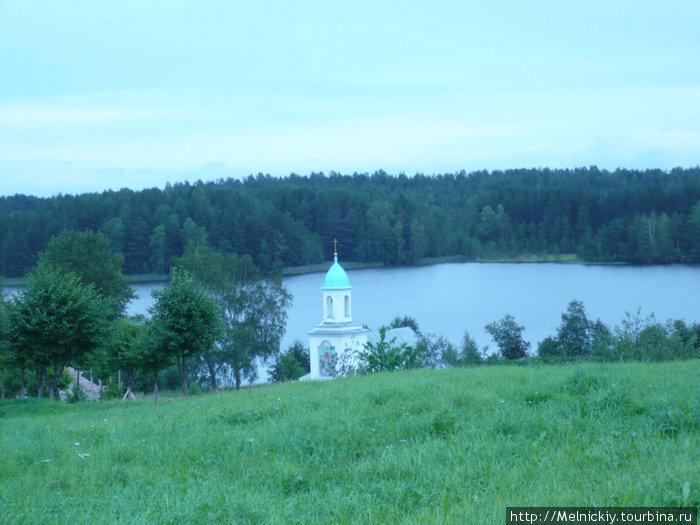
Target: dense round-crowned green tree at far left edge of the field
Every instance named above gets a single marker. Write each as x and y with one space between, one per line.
56 320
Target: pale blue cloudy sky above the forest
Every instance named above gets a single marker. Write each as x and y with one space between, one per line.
98 95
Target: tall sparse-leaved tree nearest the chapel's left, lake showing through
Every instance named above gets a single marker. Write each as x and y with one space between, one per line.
253 308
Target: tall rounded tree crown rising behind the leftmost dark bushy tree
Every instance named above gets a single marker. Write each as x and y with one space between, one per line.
90 257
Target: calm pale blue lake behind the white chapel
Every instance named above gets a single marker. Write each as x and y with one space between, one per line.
448 299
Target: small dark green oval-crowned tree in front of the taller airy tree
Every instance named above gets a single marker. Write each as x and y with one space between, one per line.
186 320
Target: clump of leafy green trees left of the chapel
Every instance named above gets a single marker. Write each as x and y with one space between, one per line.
218 313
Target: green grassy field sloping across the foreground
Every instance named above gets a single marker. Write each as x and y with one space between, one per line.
442 446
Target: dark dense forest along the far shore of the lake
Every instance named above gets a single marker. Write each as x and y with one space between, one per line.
632 216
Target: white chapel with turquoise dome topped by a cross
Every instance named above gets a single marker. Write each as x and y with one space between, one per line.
336 339
